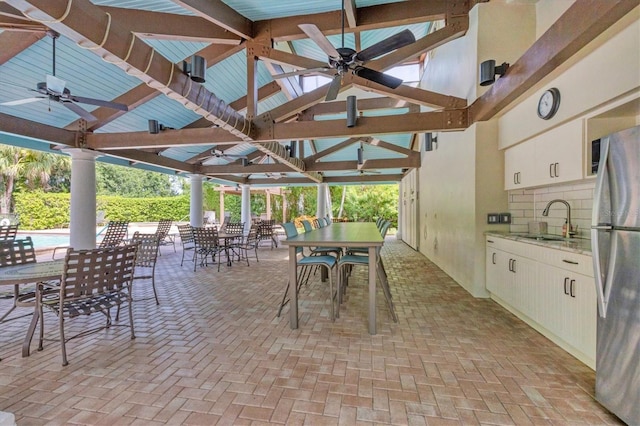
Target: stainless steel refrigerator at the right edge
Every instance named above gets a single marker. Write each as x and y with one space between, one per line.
615 238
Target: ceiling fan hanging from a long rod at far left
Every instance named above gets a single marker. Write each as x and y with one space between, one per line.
54 89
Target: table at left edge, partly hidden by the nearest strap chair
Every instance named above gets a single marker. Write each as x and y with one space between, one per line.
31 273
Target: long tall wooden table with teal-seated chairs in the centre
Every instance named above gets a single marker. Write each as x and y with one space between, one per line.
346 234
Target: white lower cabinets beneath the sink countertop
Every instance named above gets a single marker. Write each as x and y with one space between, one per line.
557 300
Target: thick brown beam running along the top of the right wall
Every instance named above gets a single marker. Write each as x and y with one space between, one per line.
582 22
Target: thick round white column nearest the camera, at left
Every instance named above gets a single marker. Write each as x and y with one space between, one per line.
82 226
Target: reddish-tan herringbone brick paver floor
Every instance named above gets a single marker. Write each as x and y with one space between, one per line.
214 352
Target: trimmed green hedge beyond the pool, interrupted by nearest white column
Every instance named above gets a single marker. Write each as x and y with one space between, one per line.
41 210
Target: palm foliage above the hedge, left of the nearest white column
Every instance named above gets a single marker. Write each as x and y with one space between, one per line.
20 165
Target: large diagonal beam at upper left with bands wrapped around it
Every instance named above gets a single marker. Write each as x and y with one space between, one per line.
87 25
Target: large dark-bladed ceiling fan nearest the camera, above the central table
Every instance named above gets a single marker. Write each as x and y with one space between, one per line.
345 59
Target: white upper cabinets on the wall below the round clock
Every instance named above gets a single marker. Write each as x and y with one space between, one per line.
556 156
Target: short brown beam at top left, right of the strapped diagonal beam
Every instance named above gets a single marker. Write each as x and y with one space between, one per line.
167 26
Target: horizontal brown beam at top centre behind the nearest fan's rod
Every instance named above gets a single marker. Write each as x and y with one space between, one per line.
368 18
